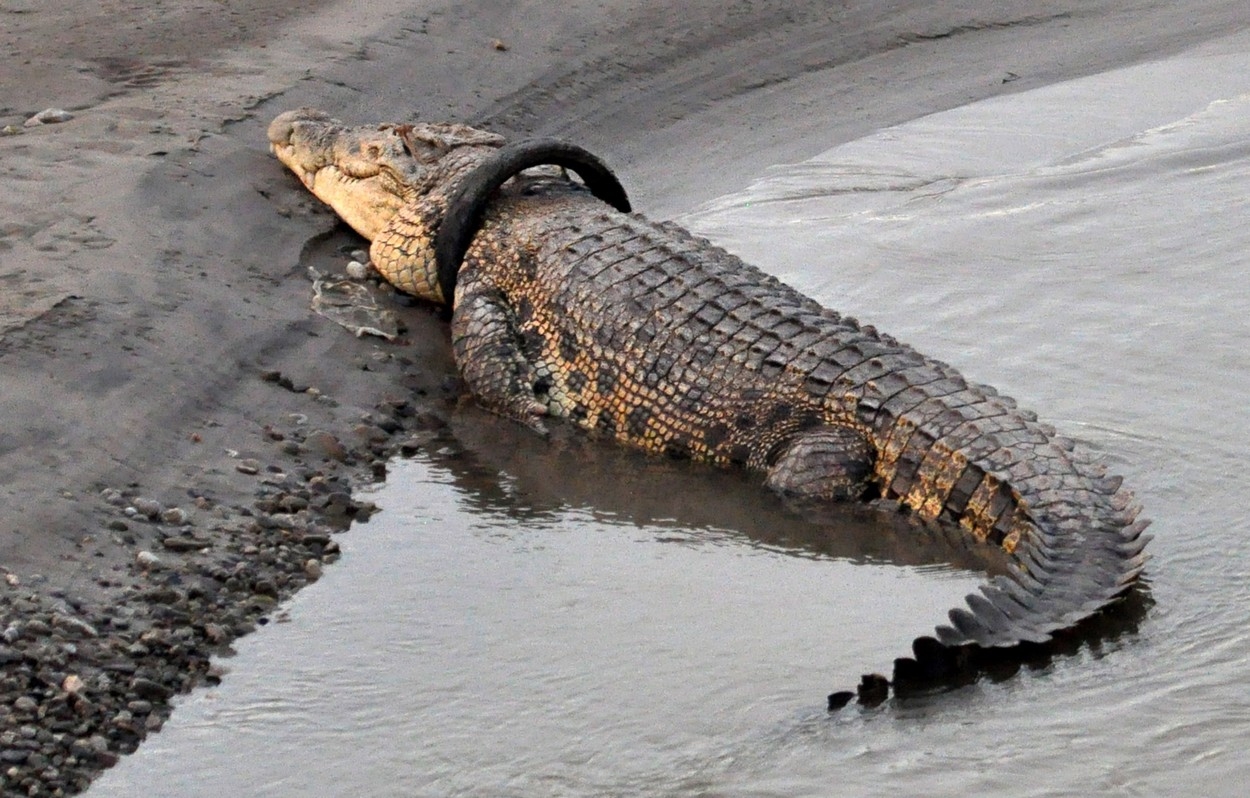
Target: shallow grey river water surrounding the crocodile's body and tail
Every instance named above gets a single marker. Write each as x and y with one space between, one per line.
566 620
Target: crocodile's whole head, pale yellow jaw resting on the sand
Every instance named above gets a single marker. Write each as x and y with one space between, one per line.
367 173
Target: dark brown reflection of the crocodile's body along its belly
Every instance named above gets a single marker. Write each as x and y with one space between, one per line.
506 471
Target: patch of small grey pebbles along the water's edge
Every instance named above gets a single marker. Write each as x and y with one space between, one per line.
84 685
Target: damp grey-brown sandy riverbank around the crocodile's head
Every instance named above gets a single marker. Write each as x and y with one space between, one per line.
152 273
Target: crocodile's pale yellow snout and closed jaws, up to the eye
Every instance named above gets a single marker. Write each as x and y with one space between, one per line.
366 174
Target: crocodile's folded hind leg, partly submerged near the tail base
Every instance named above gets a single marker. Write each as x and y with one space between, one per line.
824 463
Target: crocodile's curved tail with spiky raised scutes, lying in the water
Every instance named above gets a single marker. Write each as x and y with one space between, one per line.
1074 536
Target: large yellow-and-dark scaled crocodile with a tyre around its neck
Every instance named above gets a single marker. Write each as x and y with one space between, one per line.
566 305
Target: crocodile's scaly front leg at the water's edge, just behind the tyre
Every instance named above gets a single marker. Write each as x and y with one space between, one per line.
488 348
